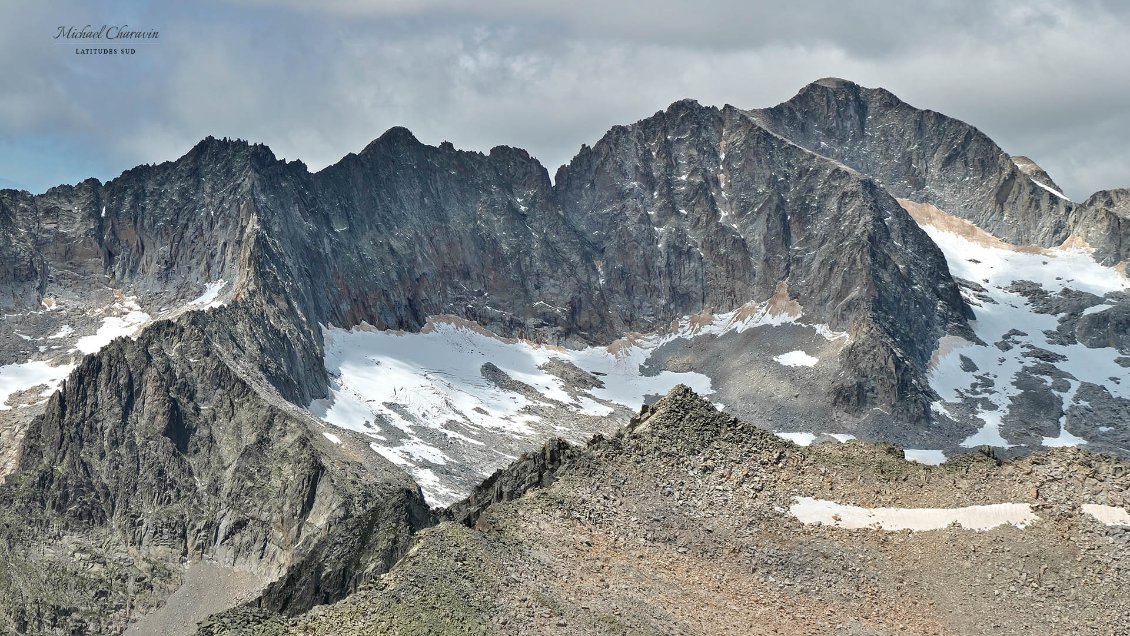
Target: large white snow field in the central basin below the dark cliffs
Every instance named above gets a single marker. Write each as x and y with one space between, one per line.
389 386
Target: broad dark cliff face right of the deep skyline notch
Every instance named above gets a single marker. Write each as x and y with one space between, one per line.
699 208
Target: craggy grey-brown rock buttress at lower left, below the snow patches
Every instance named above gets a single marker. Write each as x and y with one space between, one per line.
164 442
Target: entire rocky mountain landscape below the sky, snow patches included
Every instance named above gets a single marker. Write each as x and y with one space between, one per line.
390 397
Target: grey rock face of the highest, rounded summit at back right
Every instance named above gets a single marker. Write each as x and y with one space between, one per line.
924 156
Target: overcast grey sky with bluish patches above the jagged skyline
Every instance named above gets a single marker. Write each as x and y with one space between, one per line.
316 81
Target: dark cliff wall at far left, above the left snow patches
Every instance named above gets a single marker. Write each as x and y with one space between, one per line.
155 229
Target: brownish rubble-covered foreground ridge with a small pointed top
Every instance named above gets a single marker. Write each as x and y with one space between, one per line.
667 526
